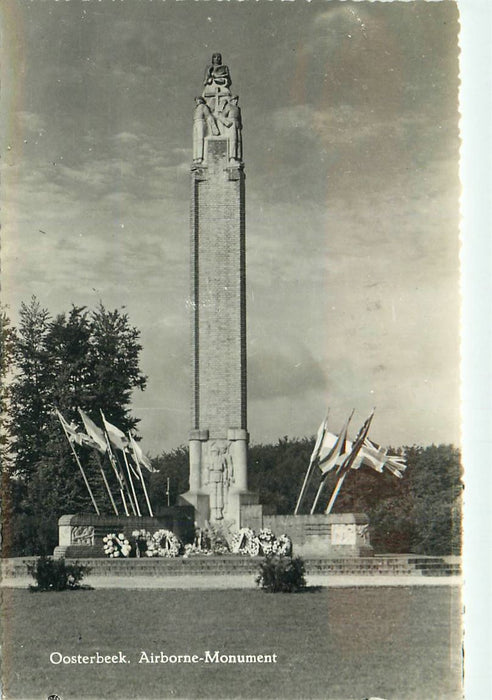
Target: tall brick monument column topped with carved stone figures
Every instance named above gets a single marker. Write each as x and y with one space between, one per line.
218 437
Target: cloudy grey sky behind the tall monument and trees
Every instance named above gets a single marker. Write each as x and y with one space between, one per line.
351 147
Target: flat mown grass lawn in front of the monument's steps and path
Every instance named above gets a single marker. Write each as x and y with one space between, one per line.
334 643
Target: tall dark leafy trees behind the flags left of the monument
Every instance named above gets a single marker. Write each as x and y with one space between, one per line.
79 358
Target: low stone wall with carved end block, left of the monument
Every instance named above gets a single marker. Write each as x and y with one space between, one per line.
82 535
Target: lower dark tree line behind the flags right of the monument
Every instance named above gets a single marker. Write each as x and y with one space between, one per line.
420 513
